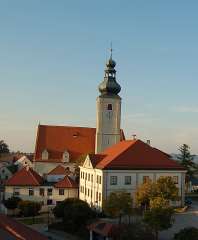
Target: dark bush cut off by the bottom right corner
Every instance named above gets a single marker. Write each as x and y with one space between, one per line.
190 233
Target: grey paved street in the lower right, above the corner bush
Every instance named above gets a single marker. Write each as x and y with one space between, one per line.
182 220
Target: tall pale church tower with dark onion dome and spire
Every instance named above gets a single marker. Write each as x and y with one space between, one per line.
108 109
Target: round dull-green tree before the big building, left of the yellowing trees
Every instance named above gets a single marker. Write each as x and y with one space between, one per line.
118 204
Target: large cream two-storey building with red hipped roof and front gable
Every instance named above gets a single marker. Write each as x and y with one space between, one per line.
125 166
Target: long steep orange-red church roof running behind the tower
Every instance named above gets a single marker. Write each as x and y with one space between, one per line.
56 139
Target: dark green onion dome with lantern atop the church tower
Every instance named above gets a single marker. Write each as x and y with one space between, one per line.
109 84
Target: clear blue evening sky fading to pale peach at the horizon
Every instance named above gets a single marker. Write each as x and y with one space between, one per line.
53 54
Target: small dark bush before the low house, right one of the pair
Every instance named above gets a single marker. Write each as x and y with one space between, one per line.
29 208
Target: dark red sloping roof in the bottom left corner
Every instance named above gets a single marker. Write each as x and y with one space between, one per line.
18 230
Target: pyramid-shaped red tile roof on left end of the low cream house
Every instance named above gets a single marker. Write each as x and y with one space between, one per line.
25 177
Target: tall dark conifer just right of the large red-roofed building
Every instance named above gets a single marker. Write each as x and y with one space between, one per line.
186 159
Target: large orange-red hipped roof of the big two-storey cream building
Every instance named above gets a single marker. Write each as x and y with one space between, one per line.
135 154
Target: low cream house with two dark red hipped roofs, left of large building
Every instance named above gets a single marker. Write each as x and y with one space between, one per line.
29 185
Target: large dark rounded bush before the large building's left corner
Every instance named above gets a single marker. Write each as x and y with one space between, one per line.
75 213
